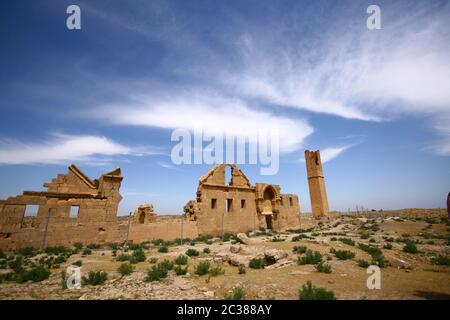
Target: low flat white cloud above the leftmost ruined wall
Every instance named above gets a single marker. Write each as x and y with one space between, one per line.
63 149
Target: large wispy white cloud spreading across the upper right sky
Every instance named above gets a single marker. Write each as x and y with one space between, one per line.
352 72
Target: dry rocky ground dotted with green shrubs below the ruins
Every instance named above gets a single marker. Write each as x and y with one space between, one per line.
404 275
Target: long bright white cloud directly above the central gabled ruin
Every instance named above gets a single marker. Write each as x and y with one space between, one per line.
212 114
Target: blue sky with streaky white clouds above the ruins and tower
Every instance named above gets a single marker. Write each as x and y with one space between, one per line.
375 102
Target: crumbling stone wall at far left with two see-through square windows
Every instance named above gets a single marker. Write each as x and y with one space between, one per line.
94 212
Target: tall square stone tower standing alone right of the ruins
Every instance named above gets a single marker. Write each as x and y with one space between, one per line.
317 191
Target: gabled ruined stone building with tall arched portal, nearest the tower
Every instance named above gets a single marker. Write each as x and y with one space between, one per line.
237 206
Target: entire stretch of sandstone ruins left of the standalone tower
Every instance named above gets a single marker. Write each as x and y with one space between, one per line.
75 208
